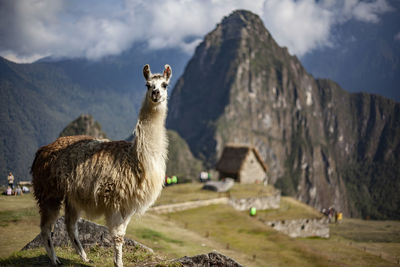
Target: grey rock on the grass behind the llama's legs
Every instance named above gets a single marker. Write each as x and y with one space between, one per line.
90 234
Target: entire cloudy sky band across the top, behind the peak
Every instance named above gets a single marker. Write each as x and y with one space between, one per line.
31 29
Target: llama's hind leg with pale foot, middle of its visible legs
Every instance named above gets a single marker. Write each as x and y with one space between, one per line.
71 219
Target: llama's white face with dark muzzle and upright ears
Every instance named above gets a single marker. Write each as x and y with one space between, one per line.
157 84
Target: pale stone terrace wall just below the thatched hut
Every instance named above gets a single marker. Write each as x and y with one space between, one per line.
260 203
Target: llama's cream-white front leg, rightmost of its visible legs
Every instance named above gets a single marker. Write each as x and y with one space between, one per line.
117 225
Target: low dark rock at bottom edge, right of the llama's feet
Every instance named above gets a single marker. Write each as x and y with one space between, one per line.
210 259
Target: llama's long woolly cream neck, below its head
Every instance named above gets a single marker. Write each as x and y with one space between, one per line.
150 133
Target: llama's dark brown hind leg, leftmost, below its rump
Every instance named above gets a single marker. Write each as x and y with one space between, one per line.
48 215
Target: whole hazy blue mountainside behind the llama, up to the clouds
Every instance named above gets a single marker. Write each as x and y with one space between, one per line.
38 100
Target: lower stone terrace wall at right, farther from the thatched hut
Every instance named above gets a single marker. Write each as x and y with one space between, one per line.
302 227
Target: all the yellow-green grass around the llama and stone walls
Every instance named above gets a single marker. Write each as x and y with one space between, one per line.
217 227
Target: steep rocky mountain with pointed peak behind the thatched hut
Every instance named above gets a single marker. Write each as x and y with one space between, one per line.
241 87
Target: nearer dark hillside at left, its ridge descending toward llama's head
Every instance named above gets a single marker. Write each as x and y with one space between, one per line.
39 100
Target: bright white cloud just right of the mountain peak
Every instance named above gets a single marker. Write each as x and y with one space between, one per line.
304 25
